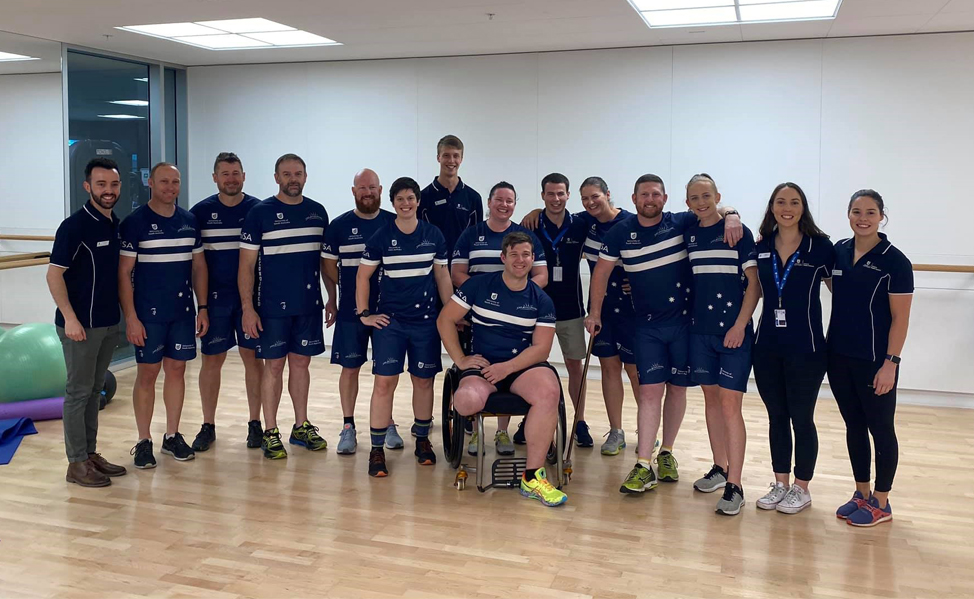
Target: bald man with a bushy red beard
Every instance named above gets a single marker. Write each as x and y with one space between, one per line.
344 243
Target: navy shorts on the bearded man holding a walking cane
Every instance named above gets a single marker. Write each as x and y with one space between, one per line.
663 354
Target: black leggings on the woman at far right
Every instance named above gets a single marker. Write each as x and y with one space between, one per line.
865 413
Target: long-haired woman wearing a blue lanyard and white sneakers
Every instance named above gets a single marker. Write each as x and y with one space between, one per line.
794 257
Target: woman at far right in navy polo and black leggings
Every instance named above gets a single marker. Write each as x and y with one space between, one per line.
872 290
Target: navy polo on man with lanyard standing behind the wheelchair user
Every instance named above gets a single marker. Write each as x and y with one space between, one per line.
565 254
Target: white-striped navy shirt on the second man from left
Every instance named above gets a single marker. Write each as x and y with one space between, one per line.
163 249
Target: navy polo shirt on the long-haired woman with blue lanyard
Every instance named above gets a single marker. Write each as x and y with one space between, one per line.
800 299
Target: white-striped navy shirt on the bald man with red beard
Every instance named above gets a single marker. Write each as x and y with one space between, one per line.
344 242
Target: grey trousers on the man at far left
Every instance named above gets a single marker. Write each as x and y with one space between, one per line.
86 362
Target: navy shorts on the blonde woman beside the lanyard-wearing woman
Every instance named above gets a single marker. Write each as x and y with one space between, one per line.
713 364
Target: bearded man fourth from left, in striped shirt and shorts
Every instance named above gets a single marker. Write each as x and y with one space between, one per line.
282 236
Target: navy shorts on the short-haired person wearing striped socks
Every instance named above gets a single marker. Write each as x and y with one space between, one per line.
419 340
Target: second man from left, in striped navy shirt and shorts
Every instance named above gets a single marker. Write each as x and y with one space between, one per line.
161 265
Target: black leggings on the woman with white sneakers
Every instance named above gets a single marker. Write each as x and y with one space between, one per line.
789 386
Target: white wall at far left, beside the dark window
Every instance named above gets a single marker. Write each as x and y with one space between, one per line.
31 187
